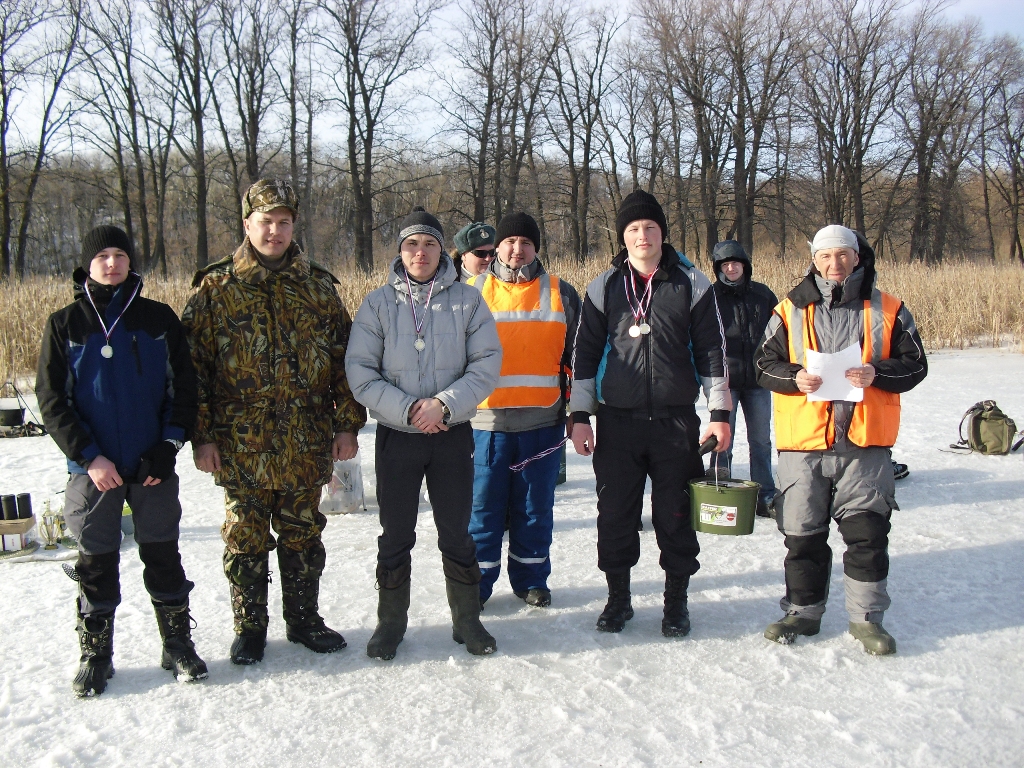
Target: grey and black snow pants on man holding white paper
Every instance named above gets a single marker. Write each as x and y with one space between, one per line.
857 488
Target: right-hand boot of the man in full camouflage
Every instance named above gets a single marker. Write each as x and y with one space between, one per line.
301 575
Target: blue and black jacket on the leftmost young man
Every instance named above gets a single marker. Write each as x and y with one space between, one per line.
122 406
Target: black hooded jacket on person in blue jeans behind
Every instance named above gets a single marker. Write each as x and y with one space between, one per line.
746 311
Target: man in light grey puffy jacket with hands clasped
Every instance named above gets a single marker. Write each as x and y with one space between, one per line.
423 354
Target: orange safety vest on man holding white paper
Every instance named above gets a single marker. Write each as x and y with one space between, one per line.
804 425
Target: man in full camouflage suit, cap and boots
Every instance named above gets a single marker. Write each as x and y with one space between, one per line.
269 334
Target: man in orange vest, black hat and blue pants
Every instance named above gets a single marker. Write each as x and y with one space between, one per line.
523 422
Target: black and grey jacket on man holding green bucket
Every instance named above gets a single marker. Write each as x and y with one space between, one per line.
658 374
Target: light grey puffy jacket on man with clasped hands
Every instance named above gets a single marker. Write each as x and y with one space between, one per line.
459 366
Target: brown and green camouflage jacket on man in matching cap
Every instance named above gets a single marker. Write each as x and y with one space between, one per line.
270 355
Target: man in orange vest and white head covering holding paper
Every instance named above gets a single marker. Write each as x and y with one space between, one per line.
835 458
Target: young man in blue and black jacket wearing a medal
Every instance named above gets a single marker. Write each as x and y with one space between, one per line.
117 391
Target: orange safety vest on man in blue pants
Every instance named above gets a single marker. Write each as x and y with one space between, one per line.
532 328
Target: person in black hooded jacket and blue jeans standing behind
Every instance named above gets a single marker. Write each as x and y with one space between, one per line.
746 308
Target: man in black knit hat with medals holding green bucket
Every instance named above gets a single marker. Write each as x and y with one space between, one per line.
650 338
